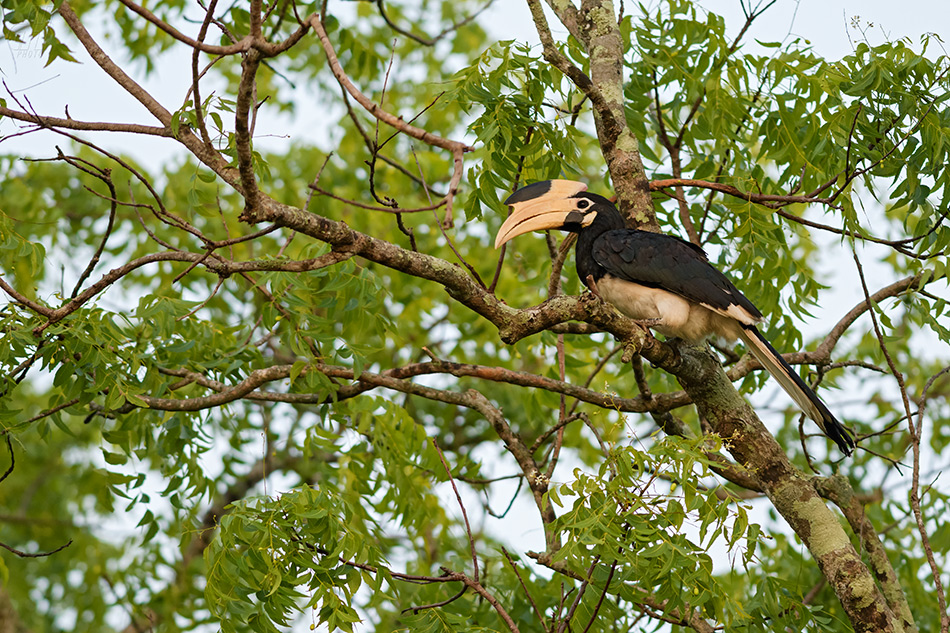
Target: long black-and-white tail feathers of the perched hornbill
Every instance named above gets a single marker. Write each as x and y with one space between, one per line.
795 387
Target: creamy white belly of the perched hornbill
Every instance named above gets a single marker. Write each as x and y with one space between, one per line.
676 316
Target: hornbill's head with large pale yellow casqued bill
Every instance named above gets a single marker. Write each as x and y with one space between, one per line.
551 204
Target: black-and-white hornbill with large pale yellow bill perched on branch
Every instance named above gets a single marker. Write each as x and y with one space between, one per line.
659 280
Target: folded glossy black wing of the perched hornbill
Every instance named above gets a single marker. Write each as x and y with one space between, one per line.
667 262
